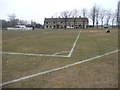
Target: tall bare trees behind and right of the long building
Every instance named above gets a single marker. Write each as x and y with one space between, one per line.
98 16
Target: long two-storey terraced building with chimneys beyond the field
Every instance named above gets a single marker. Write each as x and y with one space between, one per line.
60 23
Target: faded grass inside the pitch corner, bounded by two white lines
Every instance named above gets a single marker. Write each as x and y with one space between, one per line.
46 42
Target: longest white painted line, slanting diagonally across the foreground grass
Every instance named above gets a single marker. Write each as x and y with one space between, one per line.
56 69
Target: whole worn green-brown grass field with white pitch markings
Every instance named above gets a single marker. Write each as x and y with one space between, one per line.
101 72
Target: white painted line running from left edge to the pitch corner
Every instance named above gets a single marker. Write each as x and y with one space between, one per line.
31 54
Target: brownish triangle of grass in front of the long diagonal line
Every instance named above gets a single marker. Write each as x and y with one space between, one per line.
101 73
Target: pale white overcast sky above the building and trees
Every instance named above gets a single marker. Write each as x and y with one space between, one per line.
37 10
